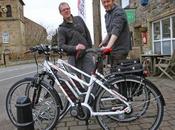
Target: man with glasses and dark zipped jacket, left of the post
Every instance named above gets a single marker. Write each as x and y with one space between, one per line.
74 38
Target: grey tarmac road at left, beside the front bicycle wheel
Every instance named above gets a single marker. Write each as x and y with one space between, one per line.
8 76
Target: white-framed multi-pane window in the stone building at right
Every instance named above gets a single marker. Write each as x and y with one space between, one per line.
164 36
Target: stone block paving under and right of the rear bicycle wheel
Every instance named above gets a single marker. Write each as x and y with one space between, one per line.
167 88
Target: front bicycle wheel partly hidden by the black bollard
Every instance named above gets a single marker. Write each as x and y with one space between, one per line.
45 111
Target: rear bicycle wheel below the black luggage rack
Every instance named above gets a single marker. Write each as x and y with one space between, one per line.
146 102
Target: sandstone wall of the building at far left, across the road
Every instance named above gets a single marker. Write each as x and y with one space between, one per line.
21 30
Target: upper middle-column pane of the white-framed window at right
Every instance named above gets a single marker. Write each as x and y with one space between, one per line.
166 28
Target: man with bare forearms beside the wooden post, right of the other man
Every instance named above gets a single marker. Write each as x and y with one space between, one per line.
118 34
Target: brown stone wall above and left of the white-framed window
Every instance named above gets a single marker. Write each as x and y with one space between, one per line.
145 15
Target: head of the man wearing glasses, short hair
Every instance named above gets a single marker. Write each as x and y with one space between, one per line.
64 9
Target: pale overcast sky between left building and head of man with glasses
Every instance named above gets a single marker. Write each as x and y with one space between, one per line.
45 12
